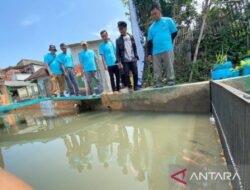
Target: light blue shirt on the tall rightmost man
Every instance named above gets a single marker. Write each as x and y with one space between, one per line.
160 32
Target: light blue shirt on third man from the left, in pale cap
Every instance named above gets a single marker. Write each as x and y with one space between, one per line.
88 58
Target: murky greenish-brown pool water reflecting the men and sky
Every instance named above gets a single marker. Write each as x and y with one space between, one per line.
110 150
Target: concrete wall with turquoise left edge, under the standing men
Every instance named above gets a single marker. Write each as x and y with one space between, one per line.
185 98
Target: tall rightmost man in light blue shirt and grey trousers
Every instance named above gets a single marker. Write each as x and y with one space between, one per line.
161 34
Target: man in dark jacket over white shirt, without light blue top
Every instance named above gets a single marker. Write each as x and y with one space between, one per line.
126 53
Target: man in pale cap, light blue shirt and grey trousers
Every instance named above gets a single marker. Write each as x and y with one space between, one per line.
88 60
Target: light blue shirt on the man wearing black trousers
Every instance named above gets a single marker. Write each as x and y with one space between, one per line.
108 51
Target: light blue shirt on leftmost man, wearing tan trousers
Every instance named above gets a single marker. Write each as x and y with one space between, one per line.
54 65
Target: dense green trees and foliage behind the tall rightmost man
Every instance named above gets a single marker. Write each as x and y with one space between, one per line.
221 24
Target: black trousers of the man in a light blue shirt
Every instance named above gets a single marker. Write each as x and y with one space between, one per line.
115 82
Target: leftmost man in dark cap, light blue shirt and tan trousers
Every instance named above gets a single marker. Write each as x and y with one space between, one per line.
55 71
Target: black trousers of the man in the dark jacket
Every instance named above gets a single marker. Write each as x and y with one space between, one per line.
130 66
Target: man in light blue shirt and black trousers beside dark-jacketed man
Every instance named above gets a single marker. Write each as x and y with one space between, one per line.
108 52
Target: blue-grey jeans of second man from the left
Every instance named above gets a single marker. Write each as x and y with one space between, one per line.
71 82
